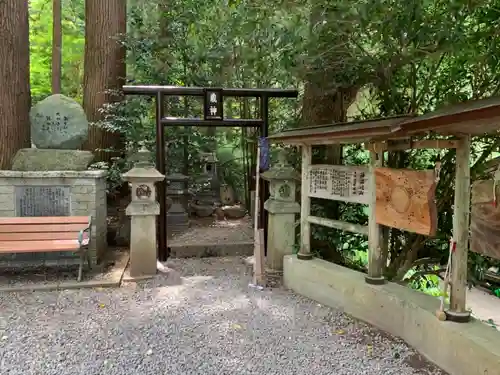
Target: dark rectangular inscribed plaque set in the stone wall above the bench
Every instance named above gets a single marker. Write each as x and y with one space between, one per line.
42 201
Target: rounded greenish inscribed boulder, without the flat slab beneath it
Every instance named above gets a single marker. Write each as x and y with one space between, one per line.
58 122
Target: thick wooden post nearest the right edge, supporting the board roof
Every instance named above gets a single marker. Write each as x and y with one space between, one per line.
457 311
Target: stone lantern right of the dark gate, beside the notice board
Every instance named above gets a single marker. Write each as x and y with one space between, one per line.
282 208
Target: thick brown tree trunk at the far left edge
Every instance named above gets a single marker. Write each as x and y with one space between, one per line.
15 97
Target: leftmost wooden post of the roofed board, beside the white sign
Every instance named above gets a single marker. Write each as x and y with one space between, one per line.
305 206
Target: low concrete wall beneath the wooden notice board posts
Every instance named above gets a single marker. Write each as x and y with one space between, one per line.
460 349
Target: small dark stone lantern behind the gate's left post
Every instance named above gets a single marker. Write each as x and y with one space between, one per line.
177 192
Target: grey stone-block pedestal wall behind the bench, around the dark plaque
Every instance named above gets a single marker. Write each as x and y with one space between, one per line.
87 197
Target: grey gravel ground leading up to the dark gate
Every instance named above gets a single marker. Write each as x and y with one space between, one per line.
201 318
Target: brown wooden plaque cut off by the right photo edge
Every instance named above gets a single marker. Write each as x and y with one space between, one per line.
485 220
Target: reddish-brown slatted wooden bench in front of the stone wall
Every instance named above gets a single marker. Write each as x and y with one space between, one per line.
47 234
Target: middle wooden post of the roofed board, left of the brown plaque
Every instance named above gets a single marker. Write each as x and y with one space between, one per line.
375 269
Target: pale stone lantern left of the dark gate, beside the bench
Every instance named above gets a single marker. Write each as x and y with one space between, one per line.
143 210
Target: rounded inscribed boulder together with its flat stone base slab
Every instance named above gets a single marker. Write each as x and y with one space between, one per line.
59 128
